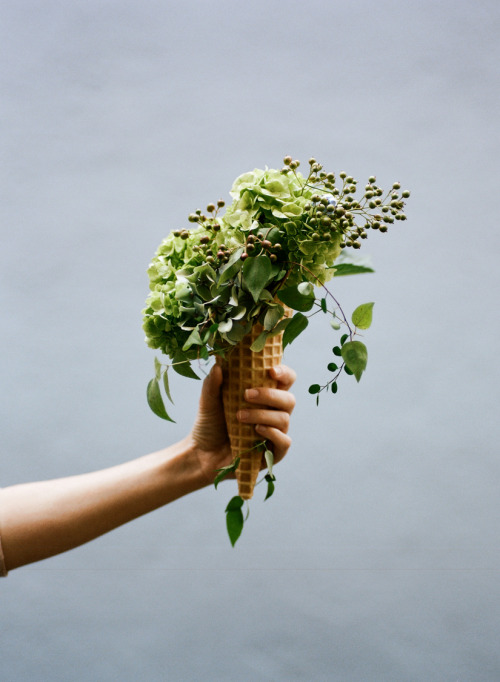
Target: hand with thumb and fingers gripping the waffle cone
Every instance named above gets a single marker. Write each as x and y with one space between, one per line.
209 434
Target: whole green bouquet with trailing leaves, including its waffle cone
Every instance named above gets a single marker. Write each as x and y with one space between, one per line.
239 285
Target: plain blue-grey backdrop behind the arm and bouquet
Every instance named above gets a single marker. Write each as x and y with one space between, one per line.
377 558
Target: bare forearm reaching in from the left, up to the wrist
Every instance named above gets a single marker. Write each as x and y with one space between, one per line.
38 520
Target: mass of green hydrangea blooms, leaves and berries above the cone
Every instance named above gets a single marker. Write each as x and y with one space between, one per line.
282 234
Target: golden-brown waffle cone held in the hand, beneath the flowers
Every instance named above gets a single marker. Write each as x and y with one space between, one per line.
242 369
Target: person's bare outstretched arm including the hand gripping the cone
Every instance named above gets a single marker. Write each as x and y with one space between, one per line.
44 518
